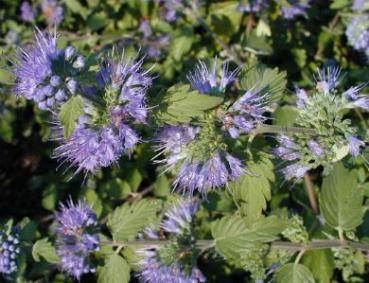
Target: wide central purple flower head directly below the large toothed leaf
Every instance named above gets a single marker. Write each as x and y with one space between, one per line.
214 170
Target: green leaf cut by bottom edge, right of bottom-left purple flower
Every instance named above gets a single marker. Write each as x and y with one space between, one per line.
115 270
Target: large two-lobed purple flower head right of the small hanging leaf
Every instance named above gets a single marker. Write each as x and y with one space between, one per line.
99 140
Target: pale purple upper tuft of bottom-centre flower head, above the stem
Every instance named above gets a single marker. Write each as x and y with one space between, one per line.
179 217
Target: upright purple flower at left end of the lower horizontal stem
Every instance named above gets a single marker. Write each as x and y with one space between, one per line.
77 238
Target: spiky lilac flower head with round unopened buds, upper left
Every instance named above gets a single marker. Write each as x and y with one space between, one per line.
38 75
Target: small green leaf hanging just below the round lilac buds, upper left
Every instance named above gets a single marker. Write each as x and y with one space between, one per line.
69 114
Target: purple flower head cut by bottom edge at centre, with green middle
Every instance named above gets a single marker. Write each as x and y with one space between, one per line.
162 264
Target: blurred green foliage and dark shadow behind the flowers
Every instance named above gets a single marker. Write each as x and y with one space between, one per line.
32 186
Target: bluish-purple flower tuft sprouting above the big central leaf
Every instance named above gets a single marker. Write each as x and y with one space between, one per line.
206 80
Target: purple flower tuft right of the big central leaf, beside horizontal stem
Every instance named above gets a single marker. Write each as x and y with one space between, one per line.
246 113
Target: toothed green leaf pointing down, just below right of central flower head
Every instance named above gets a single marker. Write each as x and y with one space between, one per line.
252 191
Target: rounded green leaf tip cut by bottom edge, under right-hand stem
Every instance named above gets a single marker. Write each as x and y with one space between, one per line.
294 273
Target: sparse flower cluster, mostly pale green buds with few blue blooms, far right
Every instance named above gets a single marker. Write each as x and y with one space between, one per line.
304 152
